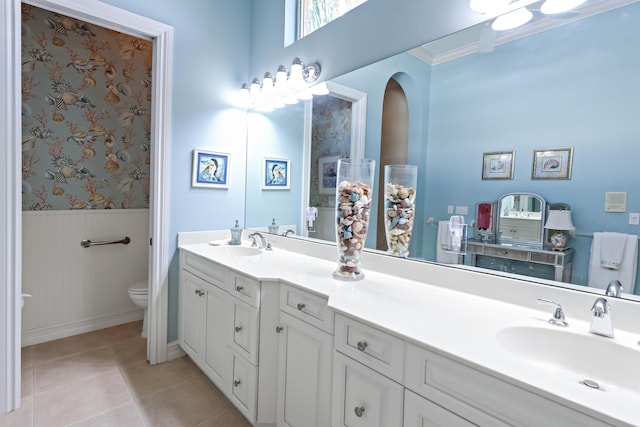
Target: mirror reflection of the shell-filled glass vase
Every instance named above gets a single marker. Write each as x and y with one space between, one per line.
399 207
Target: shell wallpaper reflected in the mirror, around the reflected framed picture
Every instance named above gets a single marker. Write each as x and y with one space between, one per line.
330 136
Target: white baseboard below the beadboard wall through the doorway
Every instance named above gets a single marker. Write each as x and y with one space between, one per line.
40 335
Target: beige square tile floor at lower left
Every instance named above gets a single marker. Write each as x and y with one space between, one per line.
102 378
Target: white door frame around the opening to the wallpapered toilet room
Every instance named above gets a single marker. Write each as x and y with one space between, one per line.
98 13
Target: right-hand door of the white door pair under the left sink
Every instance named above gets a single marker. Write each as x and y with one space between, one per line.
217 358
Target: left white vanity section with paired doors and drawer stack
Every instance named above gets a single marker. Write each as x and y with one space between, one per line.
227 326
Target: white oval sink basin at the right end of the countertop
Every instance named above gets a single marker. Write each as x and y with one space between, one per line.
595 361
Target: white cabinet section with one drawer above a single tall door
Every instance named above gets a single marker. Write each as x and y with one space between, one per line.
306 346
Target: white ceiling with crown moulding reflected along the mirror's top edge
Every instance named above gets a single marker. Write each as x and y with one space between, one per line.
481 38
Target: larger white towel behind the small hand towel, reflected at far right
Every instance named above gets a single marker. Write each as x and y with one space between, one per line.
599 276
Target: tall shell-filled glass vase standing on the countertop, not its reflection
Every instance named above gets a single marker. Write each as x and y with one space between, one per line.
353 204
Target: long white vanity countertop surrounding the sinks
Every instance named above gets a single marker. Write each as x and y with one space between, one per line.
458 325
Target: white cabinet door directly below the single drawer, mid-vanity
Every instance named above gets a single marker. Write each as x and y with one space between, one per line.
304 383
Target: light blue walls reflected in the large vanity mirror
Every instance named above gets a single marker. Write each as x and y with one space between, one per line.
568 81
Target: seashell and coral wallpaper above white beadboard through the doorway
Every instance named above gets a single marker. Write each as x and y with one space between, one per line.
86 121
